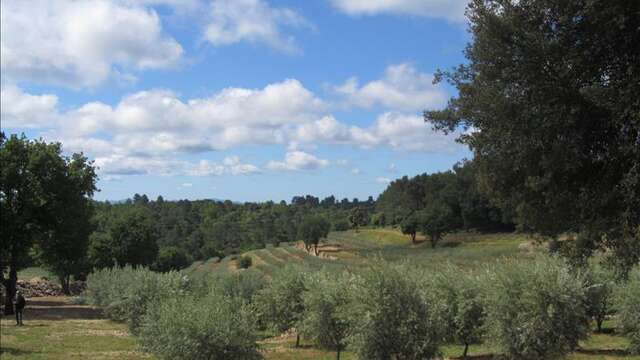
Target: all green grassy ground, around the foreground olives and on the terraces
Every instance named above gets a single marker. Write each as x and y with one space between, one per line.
55 329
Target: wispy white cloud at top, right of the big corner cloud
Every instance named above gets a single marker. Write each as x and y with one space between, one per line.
254 21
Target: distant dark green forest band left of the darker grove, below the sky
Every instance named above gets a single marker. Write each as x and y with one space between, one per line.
169 235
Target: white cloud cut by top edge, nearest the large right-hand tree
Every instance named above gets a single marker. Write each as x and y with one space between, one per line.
451 10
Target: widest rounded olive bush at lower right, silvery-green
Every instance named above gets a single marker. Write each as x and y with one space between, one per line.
535 309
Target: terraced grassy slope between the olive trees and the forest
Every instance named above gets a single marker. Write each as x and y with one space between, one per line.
353 249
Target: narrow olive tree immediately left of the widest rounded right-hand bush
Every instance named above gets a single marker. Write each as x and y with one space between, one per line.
462 310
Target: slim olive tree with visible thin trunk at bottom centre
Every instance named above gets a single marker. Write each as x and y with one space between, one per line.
327 311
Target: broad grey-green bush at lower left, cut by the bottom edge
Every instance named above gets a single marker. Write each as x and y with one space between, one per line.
209 328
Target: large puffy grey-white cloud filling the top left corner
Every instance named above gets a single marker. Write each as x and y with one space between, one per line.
81 43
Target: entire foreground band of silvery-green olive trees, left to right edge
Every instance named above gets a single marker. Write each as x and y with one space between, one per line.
538 308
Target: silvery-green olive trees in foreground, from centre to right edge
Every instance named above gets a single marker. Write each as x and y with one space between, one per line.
537 309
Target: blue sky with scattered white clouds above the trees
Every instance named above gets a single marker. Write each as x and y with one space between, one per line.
247 100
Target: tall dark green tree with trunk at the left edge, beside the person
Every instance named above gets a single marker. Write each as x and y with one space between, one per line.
40 192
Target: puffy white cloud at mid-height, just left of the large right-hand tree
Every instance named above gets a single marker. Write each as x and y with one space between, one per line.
401 88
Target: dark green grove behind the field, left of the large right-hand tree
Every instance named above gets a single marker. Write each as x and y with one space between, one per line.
435 204
